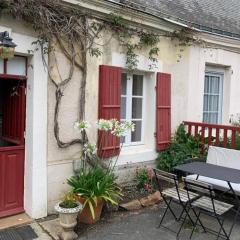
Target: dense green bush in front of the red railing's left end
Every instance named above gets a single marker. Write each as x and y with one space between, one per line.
182 147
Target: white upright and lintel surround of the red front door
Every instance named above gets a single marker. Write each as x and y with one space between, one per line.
35 179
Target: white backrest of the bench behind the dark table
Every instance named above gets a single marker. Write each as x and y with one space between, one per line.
224 157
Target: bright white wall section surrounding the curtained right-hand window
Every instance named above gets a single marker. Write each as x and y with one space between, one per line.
224 60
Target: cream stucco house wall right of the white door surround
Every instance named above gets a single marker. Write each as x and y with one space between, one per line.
187 102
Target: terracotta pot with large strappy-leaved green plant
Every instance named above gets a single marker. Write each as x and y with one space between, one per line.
93 187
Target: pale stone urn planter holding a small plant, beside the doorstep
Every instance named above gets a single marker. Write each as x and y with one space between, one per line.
68 210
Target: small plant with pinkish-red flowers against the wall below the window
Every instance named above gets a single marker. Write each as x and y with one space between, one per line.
144 178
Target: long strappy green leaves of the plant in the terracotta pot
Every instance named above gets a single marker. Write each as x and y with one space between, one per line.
94 183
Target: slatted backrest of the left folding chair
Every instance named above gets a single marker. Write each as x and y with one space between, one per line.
166 177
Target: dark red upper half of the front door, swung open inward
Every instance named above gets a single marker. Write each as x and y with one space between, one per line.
14 114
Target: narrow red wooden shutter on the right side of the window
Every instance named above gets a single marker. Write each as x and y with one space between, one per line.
163 114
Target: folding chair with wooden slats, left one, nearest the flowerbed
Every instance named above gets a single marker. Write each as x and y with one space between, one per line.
173 194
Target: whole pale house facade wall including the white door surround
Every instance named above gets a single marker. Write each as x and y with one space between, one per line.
47 166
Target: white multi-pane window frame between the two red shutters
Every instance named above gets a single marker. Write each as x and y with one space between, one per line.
129 97
